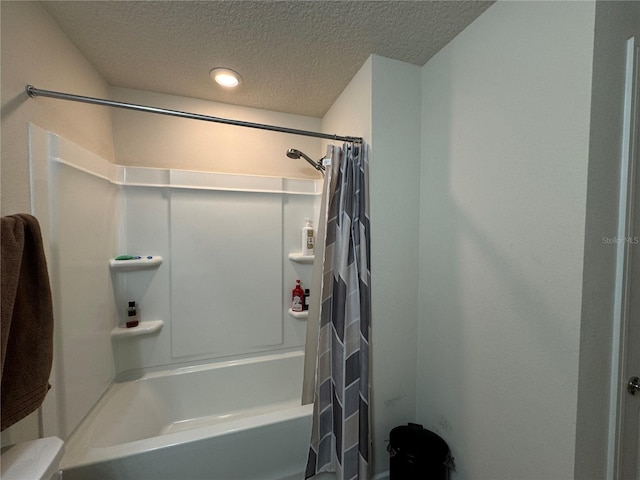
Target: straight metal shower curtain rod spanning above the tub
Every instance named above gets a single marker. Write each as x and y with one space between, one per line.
36 92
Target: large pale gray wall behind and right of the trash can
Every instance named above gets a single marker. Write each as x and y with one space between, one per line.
505 145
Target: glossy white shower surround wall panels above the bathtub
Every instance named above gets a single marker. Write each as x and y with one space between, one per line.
223 287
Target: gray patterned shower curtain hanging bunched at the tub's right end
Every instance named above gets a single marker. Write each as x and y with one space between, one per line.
341 438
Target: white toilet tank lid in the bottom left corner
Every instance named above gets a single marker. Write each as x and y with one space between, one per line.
38 459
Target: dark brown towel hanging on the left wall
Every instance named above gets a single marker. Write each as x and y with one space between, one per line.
27 319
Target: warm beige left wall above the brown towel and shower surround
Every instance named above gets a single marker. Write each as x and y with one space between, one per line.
35 51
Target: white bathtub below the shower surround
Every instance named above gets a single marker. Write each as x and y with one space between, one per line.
229 420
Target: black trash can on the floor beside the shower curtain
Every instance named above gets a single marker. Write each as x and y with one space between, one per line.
418 454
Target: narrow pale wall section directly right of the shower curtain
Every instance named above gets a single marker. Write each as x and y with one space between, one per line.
395 184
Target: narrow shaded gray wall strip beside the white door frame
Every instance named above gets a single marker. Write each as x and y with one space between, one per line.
615 22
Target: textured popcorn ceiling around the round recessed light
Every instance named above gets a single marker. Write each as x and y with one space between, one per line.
294 56
